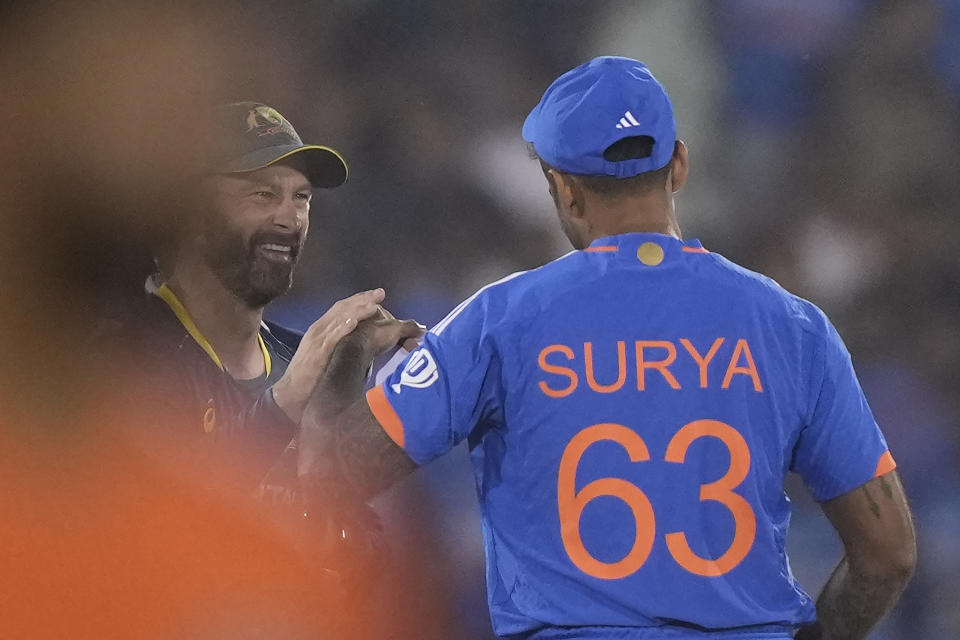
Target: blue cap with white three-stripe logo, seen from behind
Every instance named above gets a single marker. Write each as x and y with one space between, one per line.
591 107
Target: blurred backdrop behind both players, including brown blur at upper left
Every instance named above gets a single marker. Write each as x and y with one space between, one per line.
823 144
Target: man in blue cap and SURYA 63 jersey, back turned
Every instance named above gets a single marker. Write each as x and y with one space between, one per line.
632 410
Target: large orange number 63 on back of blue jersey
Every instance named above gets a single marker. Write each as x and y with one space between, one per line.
571 502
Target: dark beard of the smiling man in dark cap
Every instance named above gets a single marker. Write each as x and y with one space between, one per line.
242 269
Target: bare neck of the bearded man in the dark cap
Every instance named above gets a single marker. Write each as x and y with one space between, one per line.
229 325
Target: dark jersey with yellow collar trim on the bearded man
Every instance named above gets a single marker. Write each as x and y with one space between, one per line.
231 438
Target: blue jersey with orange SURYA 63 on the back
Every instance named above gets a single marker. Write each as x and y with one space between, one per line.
632 411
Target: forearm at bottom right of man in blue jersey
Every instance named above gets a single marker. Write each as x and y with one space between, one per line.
852 603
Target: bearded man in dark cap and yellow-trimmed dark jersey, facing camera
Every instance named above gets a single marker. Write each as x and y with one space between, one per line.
226 389
